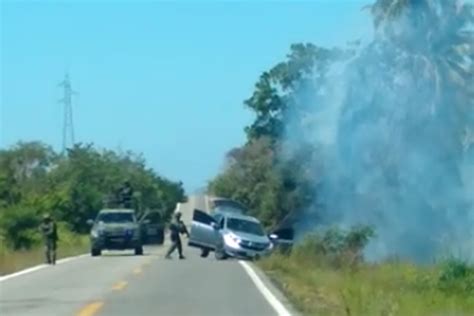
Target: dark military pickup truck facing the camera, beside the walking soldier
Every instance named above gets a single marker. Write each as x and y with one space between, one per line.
115 229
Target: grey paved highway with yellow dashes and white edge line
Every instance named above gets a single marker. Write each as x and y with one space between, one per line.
119 283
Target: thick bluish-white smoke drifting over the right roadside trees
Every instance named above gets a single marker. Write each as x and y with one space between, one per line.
393 149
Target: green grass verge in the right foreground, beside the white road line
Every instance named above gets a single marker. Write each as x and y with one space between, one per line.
392 288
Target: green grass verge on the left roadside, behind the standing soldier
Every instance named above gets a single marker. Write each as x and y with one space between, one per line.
12 261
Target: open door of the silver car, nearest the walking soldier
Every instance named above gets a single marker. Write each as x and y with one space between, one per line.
203 232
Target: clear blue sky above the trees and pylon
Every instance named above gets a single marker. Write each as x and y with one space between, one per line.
166 79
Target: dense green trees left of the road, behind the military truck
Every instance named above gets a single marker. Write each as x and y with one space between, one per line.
72 187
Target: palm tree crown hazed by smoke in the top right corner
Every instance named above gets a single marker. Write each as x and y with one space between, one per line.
438 35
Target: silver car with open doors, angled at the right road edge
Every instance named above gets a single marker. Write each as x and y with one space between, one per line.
229 234
